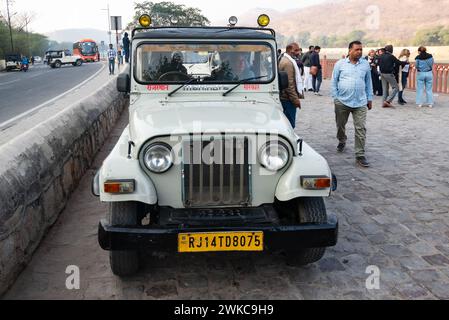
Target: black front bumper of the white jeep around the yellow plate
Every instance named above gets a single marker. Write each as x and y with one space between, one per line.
276 237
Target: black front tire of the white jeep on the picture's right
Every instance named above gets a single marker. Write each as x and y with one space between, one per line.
309 210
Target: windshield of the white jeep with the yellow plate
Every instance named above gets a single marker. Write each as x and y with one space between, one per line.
208 62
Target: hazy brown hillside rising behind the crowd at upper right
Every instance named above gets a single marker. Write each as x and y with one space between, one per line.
379 19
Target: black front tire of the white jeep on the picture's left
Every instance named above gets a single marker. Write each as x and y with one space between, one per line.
123 262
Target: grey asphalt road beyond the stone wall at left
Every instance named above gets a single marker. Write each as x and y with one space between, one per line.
20 91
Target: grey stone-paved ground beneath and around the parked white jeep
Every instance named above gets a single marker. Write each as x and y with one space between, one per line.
393 215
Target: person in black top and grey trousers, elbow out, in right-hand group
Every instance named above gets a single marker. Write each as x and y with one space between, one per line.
387 64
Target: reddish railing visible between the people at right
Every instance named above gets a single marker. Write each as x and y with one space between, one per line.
440 75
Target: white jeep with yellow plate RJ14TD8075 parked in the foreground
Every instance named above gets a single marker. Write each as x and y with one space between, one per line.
209 161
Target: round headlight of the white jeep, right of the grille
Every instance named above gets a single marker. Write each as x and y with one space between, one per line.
274 156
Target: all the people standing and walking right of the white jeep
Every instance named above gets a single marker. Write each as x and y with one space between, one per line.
355 81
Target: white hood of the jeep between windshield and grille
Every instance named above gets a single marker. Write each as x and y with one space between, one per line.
147 122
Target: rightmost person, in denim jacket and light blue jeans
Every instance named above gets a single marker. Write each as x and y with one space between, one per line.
424 65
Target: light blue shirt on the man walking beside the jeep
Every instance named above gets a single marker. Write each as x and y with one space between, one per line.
352 84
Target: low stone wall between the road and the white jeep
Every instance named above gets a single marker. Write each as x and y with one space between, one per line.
40 169
